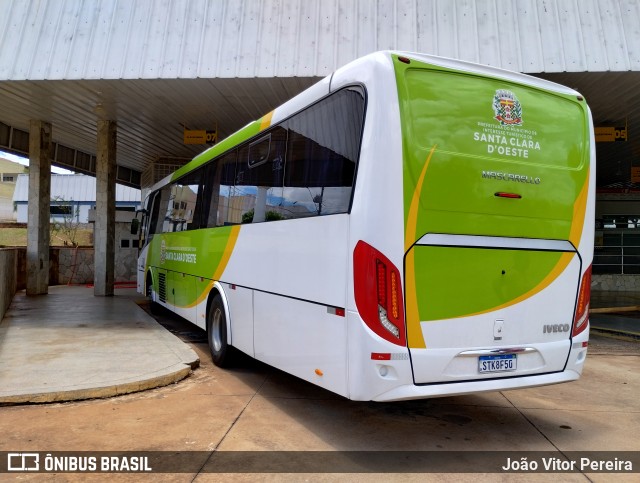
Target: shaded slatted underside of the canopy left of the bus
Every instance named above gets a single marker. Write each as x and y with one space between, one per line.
151 114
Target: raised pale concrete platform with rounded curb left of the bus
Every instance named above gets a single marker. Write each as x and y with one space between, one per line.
71 345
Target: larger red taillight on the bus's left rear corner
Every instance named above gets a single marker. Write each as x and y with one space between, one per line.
378 293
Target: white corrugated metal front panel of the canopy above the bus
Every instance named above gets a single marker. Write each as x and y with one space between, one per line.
188 39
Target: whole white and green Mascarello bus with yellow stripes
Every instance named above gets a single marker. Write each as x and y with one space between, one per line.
408 227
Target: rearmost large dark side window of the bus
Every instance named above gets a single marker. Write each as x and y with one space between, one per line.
322 152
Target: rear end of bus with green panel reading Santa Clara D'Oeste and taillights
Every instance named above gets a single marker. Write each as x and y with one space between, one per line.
492 291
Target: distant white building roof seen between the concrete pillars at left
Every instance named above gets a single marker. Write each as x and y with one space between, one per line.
73 187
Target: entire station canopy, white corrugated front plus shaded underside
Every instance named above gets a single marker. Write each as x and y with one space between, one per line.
156 66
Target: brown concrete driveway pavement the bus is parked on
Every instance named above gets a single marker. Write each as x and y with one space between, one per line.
256 408
